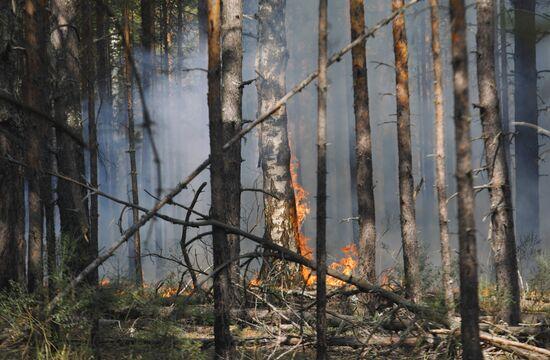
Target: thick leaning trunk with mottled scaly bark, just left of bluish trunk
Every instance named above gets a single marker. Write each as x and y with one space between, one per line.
502 222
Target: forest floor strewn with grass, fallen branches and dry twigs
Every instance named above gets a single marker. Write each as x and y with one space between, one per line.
271 323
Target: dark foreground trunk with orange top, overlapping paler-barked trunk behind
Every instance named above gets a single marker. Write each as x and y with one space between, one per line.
222 282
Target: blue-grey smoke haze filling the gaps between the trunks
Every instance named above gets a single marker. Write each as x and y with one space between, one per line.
177 102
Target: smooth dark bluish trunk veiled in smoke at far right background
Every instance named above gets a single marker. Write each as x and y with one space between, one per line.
526 139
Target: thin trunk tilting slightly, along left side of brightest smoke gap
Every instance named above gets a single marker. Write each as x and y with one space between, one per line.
136 255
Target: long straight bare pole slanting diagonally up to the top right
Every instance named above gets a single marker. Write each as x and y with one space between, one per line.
202 166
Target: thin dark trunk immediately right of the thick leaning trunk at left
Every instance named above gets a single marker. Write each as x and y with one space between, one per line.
88 65
